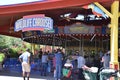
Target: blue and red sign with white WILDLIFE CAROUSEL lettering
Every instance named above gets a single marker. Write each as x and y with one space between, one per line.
34 22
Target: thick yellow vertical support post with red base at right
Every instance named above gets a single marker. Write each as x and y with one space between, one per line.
114 35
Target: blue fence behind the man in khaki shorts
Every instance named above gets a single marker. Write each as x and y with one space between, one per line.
14 65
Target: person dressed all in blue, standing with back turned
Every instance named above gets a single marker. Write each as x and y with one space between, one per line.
58 67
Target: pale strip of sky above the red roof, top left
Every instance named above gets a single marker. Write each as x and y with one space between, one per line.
10 2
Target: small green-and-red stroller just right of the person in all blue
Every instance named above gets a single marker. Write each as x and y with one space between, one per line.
67 71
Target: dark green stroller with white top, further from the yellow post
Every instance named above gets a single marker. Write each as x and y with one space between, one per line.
91 74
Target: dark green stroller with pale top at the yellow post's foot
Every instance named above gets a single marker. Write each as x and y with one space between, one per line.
107 73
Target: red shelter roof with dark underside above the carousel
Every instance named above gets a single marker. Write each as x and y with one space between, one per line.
56 9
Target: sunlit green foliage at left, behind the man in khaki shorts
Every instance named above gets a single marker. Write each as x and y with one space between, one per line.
13 44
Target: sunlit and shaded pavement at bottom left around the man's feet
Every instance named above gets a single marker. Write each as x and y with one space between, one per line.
6 75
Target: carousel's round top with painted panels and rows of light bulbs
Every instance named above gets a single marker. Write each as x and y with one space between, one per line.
72 34
